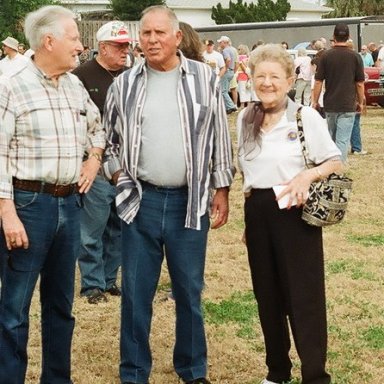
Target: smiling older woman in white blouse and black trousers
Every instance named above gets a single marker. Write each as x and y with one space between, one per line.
285 253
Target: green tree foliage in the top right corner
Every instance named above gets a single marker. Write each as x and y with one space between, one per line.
350 8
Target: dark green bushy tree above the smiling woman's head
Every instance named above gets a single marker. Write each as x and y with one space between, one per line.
261 10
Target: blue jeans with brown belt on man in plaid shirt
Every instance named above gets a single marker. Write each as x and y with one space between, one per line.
52 226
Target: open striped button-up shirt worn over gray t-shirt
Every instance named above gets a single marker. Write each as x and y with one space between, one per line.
207 143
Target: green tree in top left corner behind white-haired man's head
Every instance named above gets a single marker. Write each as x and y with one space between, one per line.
12 14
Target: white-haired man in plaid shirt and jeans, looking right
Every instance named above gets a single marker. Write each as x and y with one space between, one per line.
47 122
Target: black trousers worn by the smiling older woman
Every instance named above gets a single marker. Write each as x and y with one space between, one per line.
287 267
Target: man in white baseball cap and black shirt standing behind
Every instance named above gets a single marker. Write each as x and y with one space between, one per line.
99 256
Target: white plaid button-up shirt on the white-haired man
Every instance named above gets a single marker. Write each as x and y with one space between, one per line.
44 128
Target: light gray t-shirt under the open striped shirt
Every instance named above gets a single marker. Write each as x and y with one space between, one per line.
162 159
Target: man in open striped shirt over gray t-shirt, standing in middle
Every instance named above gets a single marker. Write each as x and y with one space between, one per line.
167 145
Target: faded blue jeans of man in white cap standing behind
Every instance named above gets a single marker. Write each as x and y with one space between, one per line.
100 229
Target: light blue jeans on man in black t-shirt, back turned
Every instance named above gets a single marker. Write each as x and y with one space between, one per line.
340 128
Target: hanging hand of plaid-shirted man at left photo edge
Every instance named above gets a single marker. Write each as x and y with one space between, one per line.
14 231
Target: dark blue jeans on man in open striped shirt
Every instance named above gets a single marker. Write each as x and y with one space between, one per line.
158 229
